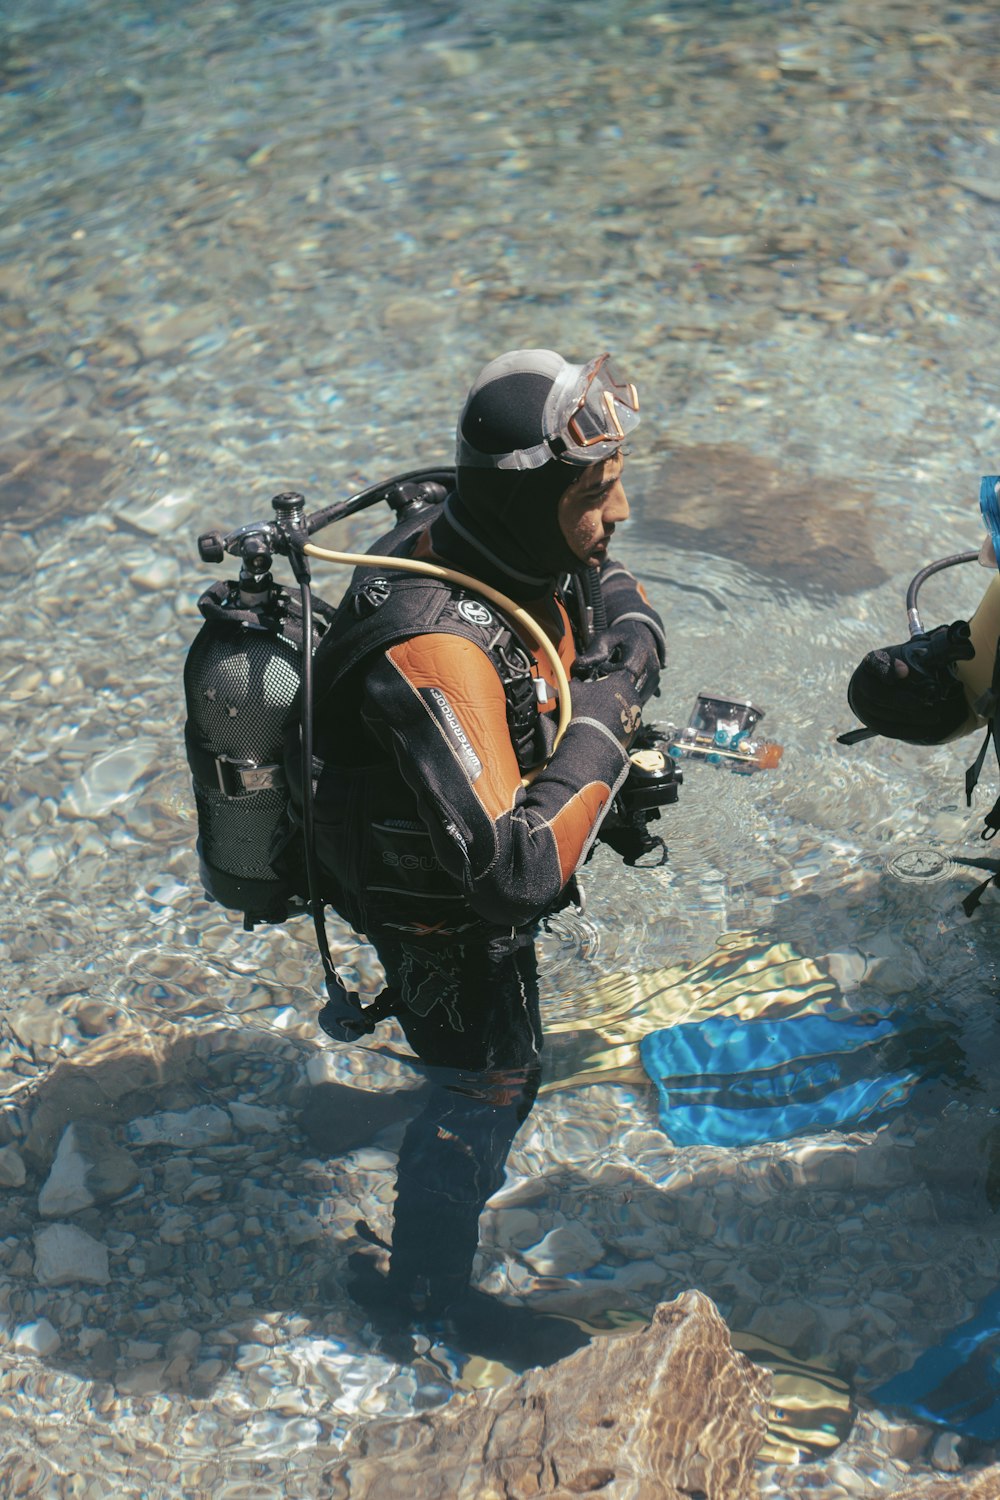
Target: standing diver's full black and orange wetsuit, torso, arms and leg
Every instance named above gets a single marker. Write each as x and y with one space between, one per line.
431 845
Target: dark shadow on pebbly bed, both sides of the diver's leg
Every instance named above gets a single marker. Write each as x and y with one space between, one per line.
218 1193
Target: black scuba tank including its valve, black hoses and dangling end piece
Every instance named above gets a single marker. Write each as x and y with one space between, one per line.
248 685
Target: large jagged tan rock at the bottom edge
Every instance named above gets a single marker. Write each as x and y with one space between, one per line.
663 1414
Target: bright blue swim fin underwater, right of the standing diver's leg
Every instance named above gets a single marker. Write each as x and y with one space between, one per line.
735 1082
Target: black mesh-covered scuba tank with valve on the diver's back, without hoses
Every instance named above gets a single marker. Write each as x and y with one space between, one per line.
242 686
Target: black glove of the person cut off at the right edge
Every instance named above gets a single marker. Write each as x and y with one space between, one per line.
909 692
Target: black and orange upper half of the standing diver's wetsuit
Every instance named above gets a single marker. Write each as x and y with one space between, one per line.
424 823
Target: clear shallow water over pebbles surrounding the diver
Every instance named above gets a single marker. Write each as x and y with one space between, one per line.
253 248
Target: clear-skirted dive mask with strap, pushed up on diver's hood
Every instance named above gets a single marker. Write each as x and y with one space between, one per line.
585 419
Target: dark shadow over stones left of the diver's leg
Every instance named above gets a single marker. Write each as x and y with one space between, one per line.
172 1208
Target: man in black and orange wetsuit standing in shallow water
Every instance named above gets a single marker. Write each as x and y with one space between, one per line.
460 782
